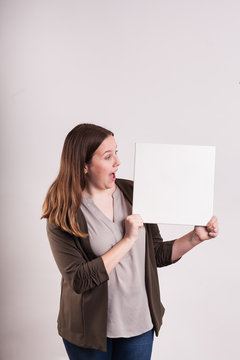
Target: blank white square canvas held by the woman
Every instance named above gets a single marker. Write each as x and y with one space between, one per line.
174 184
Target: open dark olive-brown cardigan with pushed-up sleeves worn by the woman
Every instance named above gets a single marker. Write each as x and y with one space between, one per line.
82 318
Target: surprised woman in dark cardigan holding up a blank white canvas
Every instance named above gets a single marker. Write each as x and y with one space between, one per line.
110 302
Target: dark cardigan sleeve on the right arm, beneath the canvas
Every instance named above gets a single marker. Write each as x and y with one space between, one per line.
162 249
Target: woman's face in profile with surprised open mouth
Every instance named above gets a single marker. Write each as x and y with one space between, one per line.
103 164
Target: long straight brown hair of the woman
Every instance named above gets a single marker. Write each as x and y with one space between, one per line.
64 196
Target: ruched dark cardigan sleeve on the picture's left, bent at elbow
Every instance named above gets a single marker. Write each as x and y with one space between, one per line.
80 274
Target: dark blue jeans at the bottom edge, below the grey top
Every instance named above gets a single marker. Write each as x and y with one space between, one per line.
134 348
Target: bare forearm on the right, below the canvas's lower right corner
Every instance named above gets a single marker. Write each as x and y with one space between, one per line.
182 245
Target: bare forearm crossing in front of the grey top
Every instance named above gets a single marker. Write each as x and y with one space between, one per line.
112 257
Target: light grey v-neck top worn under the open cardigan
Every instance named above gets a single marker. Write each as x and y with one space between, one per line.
128 310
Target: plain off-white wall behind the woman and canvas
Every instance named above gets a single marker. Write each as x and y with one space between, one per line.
150 71
